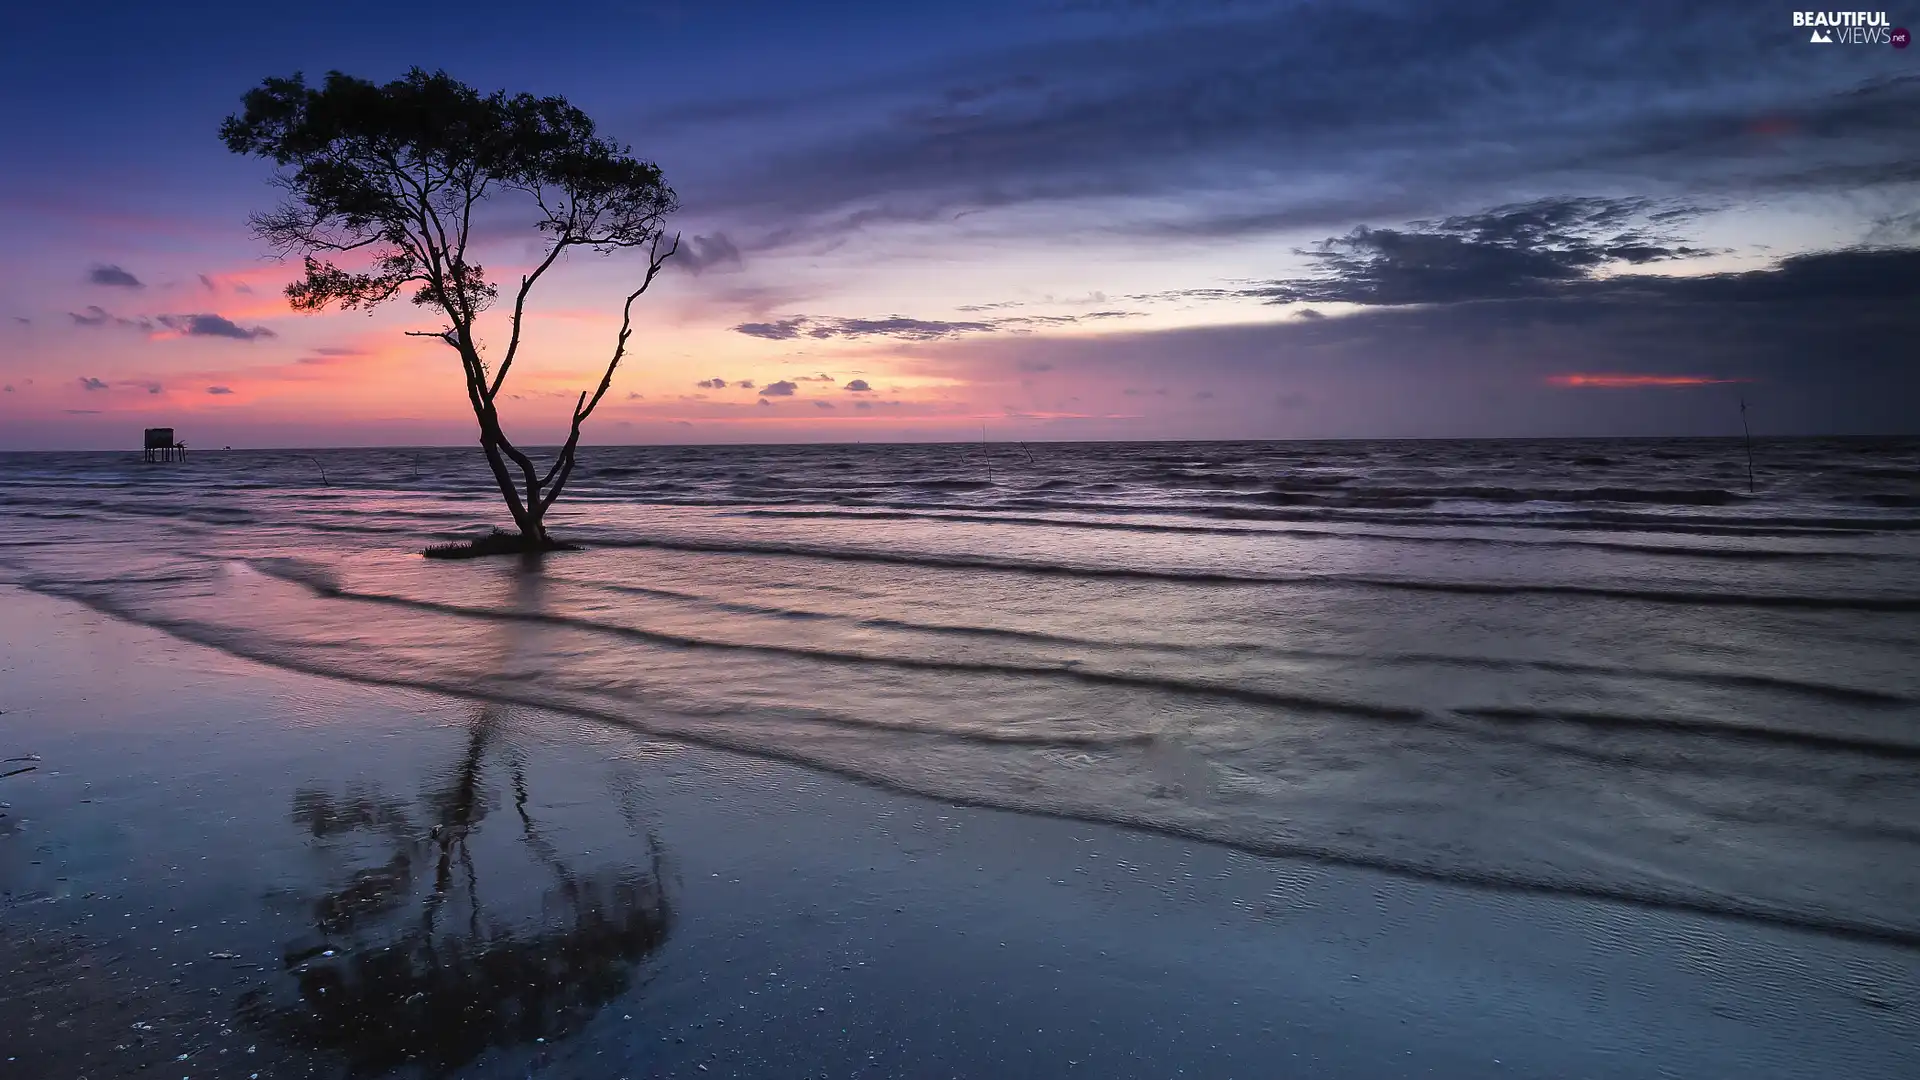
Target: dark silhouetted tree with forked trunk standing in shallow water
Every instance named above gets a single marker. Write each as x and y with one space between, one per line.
398 172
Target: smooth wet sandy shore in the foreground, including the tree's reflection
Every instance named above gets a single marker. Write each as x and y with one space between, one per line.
224 870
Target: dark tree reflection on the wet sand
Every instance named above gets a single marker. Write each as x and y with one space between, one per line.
414 966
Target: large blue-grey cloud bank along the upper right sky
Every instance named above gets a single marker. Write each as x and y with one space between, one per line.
1481 101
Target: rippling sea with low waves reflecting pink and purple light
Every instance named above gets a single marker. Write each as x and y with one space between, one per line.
1662 674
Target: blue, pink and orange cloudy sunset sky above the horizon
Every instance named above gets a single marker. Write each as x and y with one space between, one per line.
1051 220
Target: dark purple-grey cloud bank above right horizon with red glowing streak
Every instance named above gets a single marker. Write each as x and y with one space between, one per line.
1823 339
